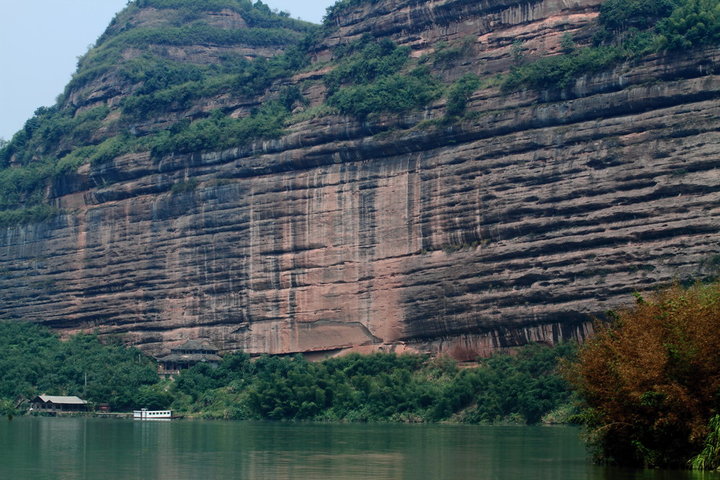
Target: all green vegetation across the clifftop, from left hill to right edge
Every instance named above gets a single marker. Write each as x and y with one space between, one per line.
164 96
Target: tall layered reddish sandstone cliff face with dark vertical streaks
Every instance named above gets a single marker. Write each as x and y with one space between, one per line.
519 223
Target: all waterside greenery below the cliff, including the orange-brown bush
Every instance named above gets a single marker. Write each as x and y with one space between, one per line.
646 387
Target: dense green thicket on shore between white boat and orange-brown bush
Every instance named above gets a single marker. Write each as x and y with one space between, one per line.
516 389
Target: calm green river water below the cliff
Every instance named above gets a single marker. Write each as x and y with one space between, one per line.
78 448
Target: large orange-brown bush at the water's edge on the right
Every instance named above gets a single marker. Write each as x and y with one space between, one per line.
650 381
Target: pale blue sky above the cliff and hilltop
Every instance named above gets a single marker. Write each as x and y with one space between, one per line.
40 41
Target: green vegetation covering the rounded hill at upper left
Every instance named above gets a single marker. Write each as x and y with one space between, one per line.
58 139
